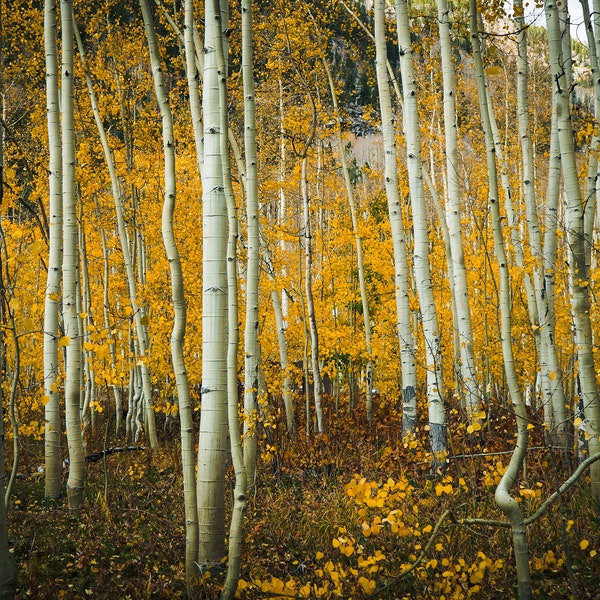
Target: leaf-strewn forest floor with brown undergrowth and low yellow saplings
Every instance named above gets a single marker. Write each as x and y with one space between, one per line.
355 513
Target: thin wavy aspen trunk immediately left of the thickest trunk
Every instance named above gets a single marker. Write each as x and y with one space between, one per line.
179 303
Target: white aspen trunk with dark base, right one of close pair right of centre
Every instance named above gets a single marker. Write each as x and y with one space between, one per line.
429 320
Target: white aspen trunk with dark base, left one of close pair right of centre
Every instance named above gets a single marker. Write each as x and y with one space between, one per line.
401 284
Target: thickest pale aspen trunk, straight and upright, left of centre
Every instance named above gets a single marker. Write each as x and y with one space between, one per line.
213 443
